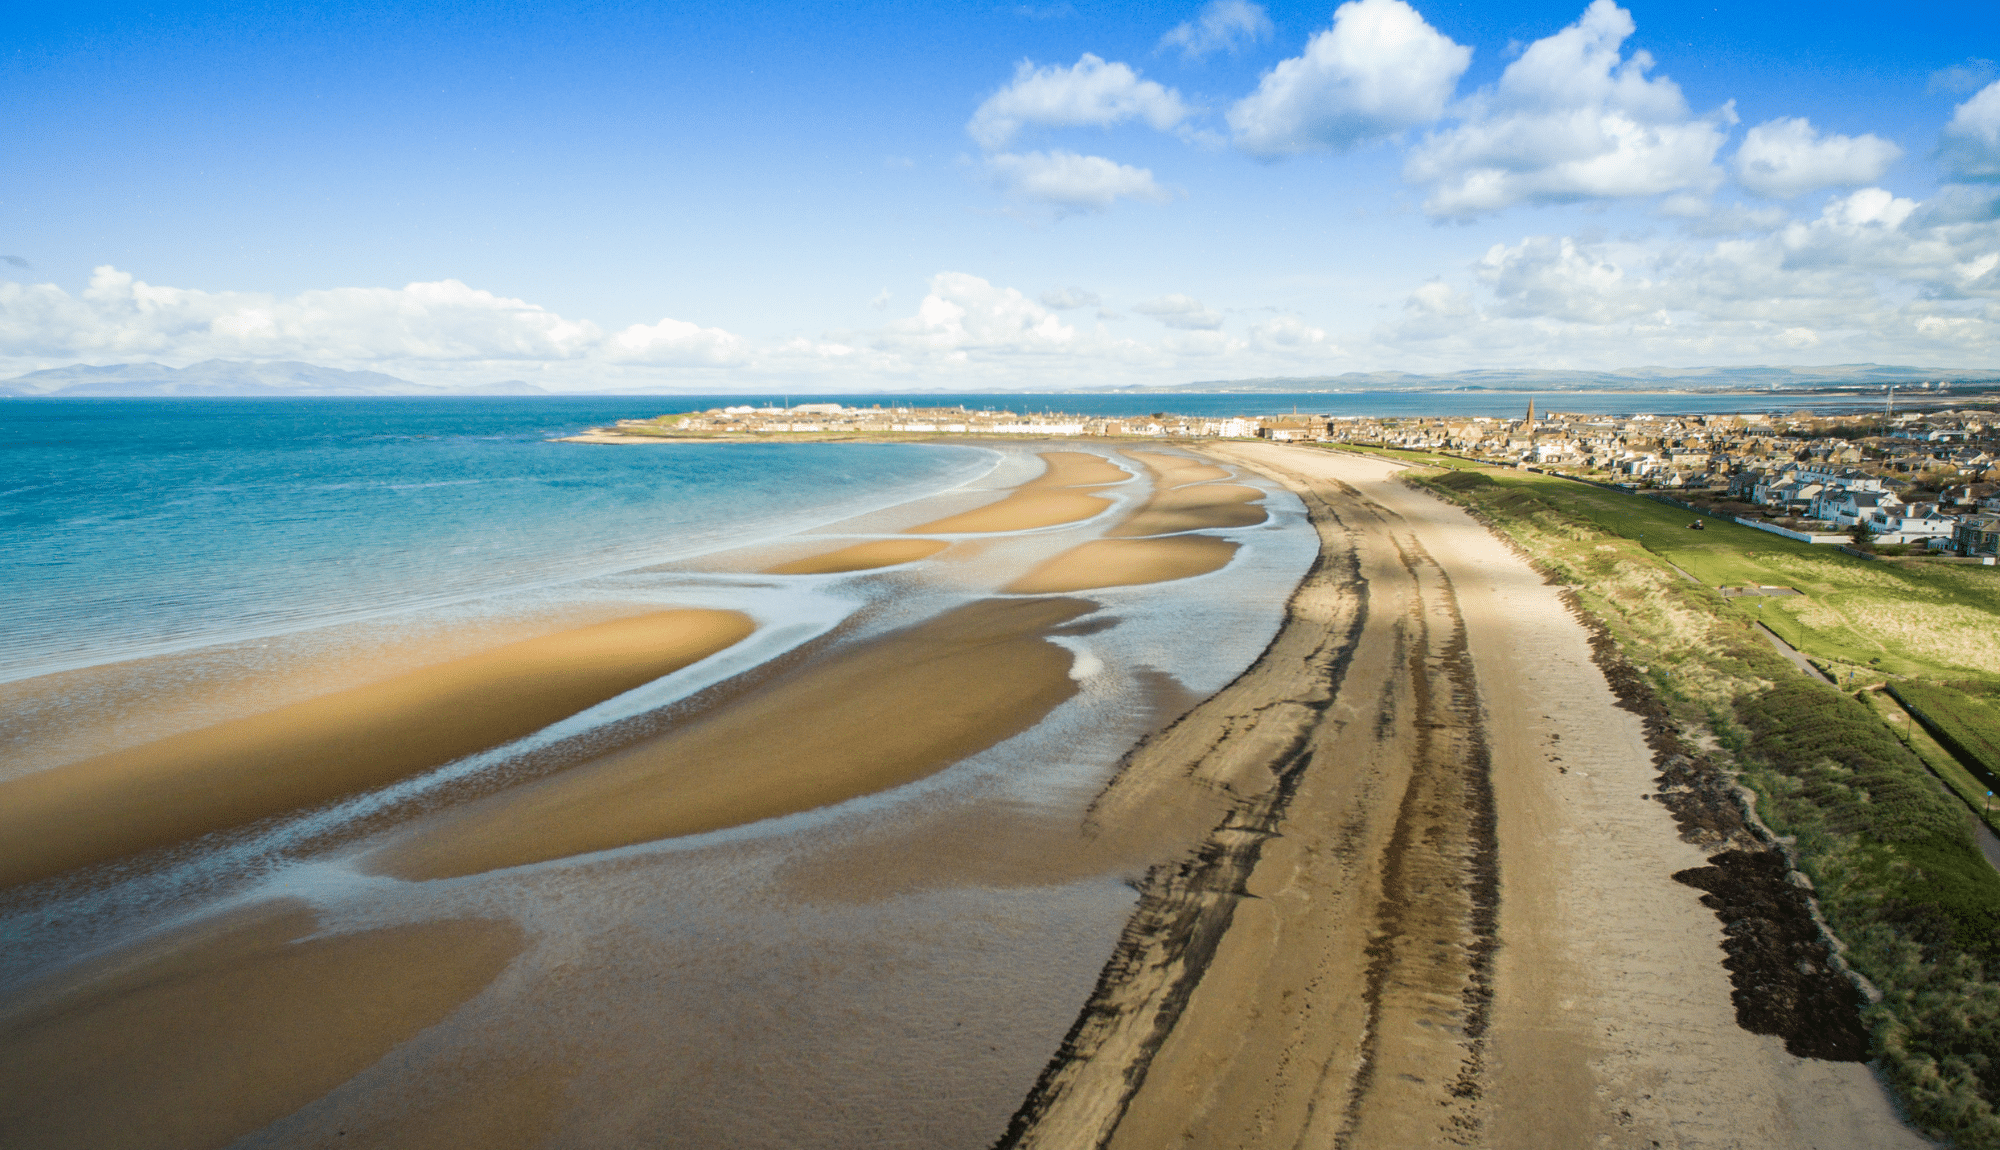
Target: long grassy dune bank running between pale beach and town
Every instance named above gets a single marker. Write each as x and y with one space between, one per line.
1889 851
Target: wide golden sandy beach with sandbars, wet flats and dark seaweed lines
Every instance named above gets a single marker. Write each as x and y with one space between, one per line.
1401 883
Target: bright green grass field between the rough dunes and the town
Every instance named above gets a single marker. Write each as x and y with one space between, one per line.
1937 621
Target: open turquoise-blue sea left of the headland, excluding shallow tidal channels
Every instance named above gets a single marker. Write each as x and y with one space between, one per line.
143 527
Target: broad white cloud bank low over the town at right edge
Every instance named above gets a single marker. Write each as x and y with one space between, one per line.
1871 277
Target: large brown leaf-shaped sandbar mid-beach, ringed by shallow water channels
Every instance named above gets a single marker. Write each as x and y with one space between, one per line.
879 715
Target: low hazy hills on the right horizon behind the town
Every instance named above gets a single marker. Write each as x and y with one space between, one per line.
1627 379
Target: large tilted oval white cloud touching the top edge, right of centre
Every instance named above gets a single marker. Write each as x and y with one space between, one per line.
1379 71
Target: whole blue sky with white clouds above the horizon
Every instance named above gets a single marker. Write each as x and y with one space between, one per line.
1003 195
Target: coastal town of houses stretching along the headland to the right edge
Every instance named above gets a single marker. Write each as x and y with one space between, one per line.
1893 483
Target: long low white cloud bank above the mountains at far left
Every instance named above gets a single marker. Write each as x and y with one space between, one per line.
441 323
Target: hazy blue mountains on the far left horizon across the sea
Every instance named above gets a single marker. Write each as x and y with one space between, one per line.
237 379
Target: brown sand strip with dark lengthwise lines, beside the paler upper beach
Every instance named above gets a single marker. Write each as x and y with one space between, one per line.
1315 973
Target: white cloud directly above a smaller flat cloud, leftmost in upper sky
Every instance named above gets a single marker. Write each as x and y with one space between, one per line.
1087 95
